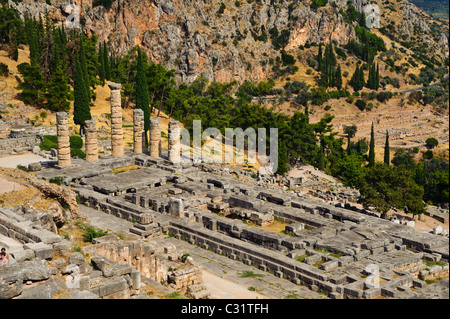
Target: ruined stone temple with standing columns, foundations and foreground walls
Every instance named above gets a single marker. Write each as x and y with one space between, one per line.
322 249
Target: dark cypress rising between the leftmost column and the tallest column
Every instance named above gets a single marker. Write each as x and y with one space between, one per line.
81 110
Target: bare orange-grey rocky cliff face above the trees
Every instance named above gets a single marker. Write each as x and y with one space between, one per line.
228 40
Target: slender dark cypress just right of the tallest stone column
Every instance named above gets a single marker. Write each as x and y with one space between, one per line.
142 95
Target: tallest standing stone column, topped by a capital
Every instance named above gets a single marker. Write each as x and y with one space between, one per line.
116 120
